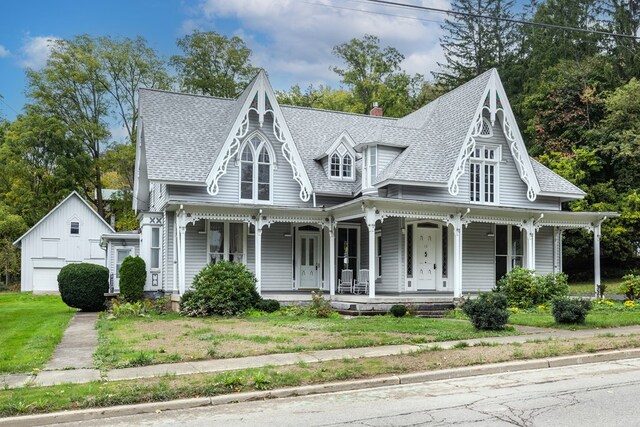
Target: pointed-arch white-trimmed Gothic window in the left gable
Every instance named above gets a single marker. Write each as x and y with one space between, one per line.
256 170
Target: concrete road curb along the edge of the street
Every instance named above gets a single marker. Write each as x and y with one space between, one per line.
413 378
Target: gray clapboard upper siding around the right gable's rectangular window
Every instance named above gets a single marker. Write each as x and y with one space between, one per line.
512 191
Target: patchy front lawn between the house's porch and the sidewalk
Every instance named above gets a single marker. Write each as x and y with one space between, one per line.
127 342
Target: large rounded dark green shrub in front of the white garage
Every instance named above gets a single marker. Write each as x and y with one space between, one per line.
83 286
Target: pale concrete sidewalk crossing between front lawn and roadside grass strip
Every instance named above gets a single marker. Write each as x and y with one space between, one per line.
83 375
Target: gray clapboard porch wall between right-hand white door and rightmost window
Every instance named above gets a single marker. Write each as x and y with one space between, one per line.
478 258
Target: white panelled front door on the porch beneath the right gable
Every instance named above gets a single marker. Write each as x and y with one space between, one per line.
426 258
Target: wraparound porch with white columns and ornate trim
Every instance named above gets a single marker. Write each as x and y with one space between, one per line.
407 248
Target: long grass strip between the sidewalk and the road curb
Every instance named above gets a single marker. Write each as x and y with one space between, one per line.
29 400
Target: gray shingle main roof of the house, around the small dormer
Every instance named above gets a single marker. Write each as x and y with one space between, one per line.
184 134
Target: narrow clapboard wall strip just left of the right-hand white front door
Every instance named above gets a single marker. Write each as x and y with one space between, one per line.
391 250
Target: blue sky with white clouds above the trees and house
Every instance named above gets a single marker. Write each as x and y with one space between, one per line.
291 39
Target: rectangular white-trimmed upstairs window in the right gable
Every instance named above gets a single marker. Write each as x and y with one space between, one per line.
483 174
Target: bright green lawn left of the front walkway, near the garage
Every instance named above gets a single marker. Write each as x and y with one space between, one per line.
30 328
